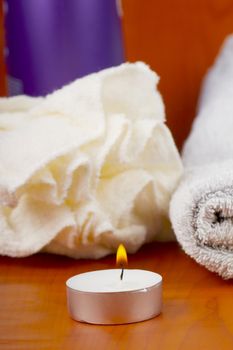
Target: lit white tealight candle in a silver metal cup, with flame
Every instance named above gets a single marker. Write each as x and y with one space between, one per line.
114 296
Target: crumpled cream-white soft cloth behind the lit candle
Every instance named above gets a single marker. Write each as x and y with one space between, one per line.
87 167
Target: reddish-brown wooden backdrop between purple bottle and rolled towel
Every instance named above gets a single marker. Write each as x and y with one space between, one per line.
179 40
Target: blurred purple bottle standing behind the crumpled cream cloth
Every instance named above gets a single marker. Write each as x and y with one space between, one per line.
52 42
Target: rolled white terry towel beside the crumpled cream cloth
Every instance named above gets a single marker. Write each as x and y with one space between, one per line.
202 207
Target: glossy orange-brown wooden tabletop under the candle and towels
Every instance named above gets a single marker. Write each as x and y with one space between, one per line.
197 311
